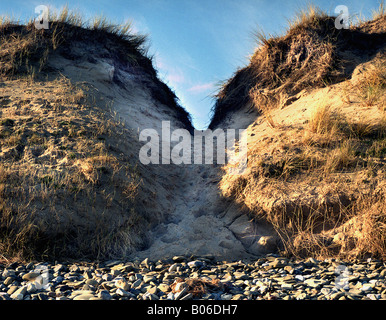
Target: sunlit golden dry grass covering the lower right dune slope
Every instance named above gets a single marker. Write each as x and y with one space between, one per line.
310 178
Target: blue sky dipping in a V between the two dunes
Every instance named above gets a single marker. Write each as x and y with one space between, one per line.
196 44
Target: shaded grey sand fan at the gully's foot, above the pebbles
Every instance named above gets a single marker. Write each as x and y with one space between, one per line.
201 223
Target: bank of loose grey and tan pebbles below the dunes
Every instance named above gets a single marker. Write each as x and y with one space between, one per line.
184 278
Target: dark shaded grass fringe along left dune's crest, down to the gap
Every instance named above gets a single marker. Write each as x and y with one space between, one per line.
25 50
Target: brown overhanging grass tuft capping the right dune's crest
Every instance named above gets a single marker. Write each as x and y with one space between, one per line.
313 53
